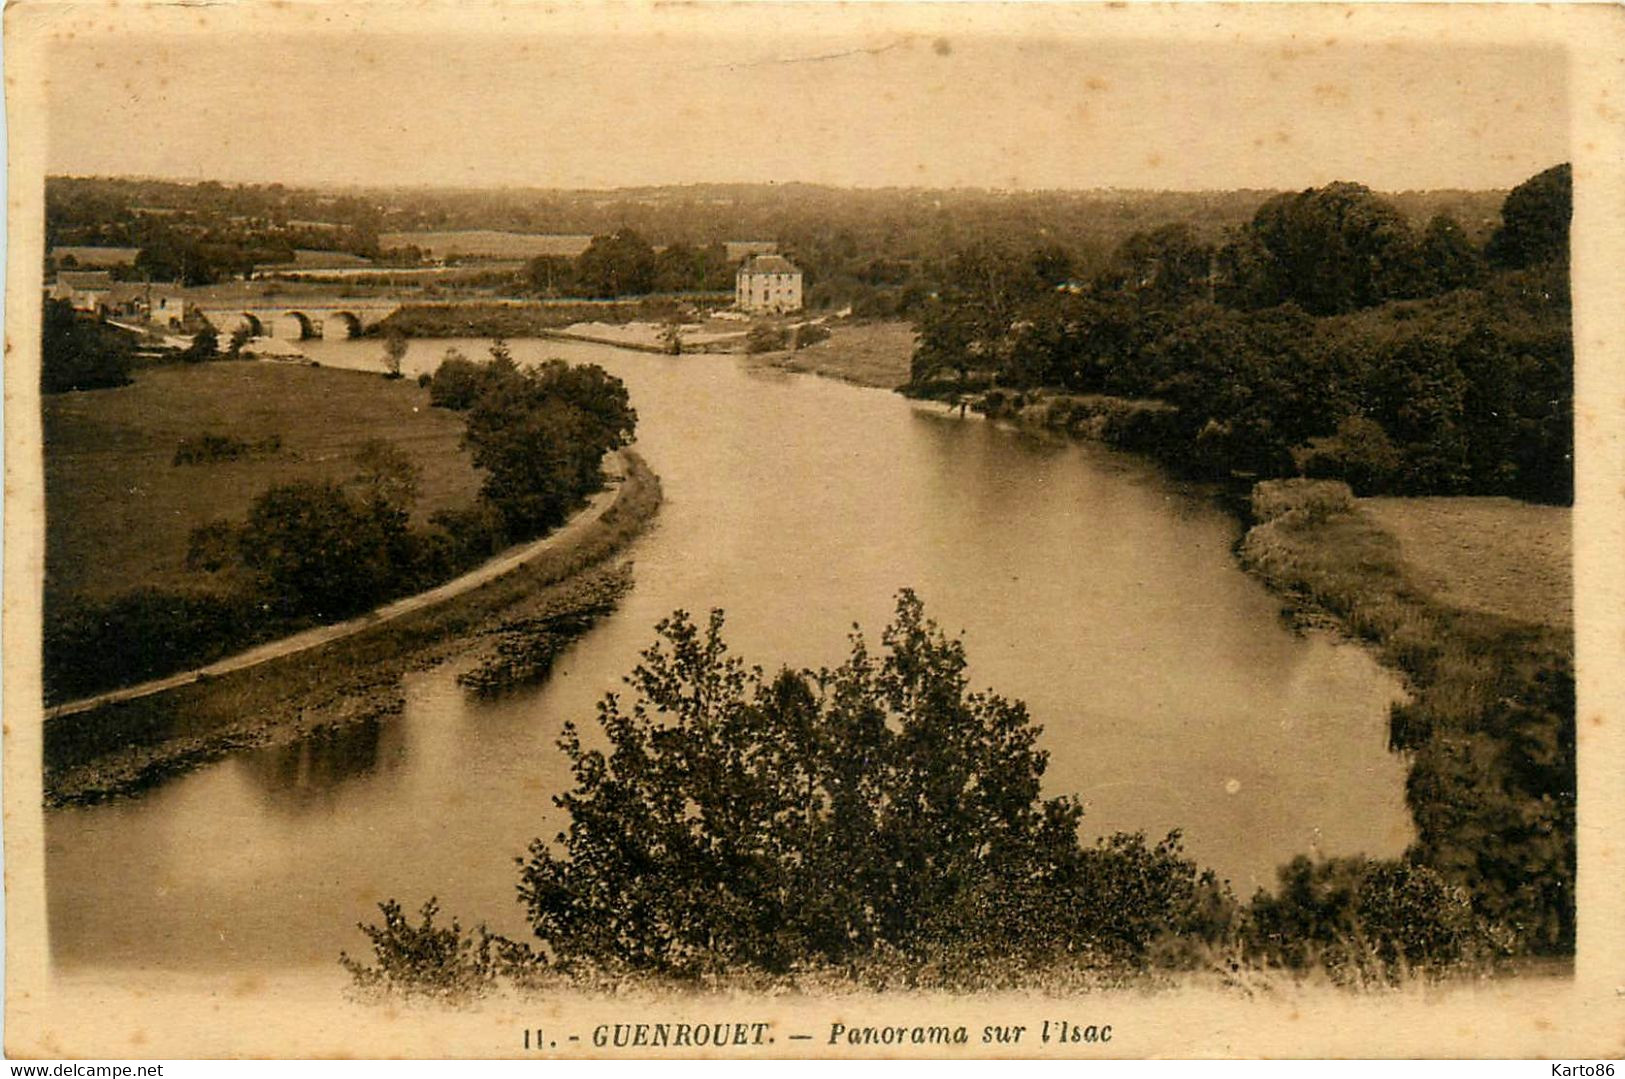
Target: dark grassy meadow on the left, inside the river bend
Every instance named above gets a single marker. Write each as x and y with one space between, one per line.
119 511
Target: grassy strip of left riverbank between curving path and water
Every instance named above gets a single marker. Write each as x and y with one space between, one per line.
128 747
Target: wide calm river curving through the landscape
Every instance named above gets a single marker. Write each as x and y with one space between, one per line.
1085 583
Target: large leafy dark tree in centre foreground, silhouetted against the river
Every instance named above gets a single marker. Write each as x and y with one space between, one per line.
740 820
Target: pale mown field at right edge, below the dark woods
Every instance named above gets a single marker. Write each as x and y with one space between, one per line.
1497 557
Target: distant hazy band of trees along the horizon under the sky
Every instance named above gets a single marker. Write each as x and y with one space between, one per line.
883 253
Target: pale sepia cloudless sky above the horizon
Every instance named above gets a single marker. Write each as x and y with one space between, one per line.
883 106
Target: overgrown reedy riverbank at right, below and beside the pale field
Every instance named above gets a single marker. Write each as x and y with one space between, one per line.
1489 727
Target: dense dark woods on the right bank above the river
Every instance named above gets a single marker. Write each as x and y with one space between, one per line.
1328 337
